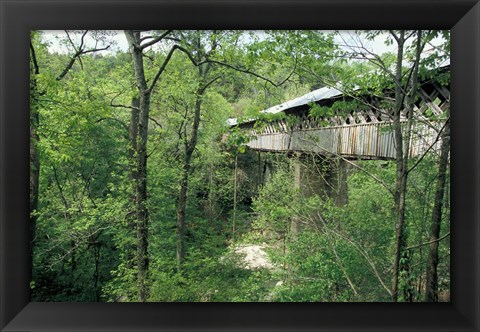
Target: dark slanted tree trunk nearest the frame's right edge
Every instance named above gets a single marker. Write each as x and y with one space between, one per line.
431 294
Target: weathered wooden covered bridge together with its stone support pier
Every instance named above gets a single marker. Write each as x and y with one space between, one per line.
323 145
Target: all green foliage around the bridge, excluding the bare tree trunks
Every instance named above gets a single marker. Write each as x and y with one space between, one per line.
86 237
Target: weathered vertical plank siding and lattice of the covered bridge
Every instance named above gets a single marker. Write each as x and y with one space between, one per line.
363 134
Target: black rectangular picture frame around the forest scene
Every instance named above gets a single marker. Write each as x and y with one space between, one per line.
18 17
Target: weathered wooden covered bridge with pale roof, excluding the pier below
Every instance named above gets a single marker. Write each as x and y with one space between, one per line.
360 134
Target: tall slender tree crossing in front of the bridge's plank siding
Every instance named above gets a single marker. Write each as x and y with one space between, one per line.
405 72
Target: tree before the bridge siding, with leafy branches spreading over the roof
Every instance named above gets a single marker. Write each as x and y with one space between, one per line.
396 78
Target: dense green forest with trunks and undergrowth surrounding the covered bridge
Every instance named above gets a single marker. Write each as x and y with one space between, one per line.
142 189
